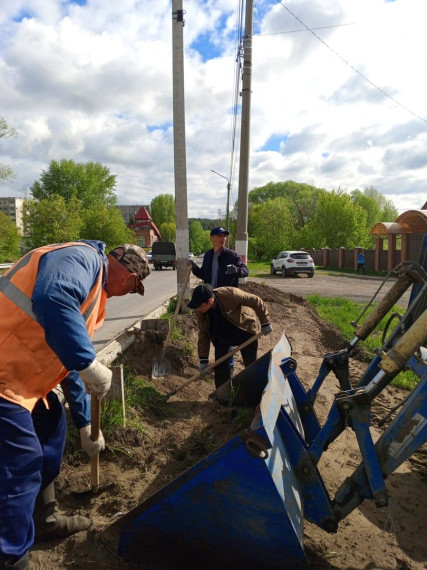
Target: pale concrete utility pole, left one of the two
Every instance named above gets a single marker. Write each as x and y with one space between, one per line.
180 161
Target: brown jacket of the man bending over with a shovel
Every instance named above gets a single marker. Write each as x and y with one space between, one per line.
238 307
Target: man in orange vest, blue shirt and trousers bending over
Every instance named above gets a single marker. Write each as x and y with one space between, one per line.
51 302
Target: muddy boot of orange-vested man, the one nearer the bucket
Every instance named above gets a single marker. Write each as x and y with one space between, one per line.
49 523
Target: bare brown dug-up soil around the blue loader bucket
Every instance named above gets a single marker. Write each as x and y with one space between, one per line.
162 440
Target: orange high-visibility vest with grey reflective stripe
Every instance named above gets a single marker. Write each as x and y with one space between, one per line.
29 368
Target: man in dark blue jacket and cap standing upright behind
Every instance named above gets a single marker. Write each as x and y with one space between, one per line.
221 267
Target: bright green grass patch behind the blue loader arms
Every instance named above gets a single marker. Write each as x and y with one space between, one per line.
341 312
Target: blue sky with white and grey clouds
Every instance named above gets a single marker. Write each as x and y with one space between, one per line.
339 95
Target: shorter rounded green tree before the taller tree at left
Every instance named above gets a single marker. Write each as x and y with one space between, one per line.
52 220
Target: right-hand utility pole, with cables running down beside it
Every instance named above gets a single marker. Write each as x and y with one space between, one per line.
242 213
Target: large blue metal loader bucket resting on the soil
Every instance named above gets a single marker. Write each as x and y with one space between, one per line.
241 506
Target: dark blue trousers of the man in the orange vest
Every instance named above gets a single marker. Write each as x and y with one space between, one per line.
31 449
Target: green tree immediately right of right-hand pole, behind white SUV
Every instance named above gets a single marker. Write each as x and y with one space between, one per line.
270 224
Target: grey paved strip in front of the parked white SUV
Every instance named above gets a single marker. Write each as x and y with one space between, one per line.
357 288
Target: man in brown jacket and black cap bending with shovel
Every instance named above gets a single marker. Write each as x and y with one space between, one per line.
227 316
